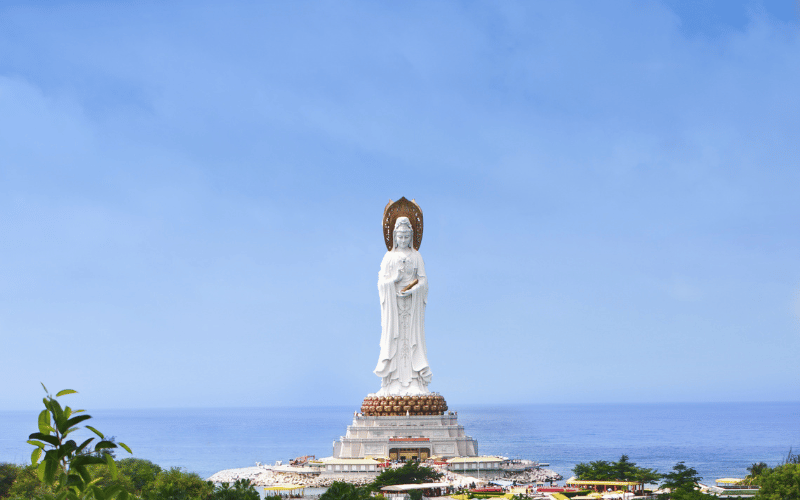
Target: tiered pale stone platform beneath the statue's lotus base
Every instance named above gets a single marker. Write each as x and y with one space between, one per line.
405 437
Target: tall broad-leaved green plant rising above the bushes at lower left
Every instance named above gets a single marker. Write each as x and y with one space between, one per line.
65 467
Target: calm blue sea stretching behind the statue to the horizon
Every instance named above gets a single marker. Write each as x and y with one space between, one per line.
717 439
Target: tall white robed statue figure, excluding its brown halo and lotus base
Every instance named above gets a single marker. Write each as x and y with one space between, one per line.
403 360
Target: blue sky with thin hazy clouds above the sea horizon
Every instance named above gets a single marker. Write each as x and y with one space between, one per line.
191 193
